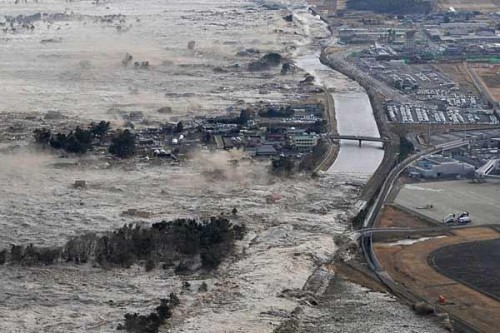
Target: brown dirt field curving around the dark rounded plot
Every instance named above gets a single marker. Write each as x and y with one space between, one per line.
408 266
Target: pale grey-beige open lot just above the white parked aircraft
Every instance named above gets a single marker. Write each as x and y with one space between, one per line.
447 197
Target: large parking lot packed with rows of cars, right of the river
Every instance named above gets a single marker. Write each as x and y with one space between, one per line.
438 99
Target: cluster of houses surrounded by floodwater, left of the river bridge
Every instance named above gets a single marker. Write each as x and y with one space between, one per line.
294 135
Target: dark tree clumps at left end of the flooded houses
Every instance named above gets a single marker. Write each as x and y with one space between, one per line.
80 140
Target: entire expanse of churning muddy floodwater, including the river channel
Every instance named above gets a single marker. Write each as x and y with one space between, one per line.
67 57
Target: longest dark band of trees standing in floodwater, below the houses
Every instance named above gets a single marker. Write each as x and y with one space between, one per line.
171 241
